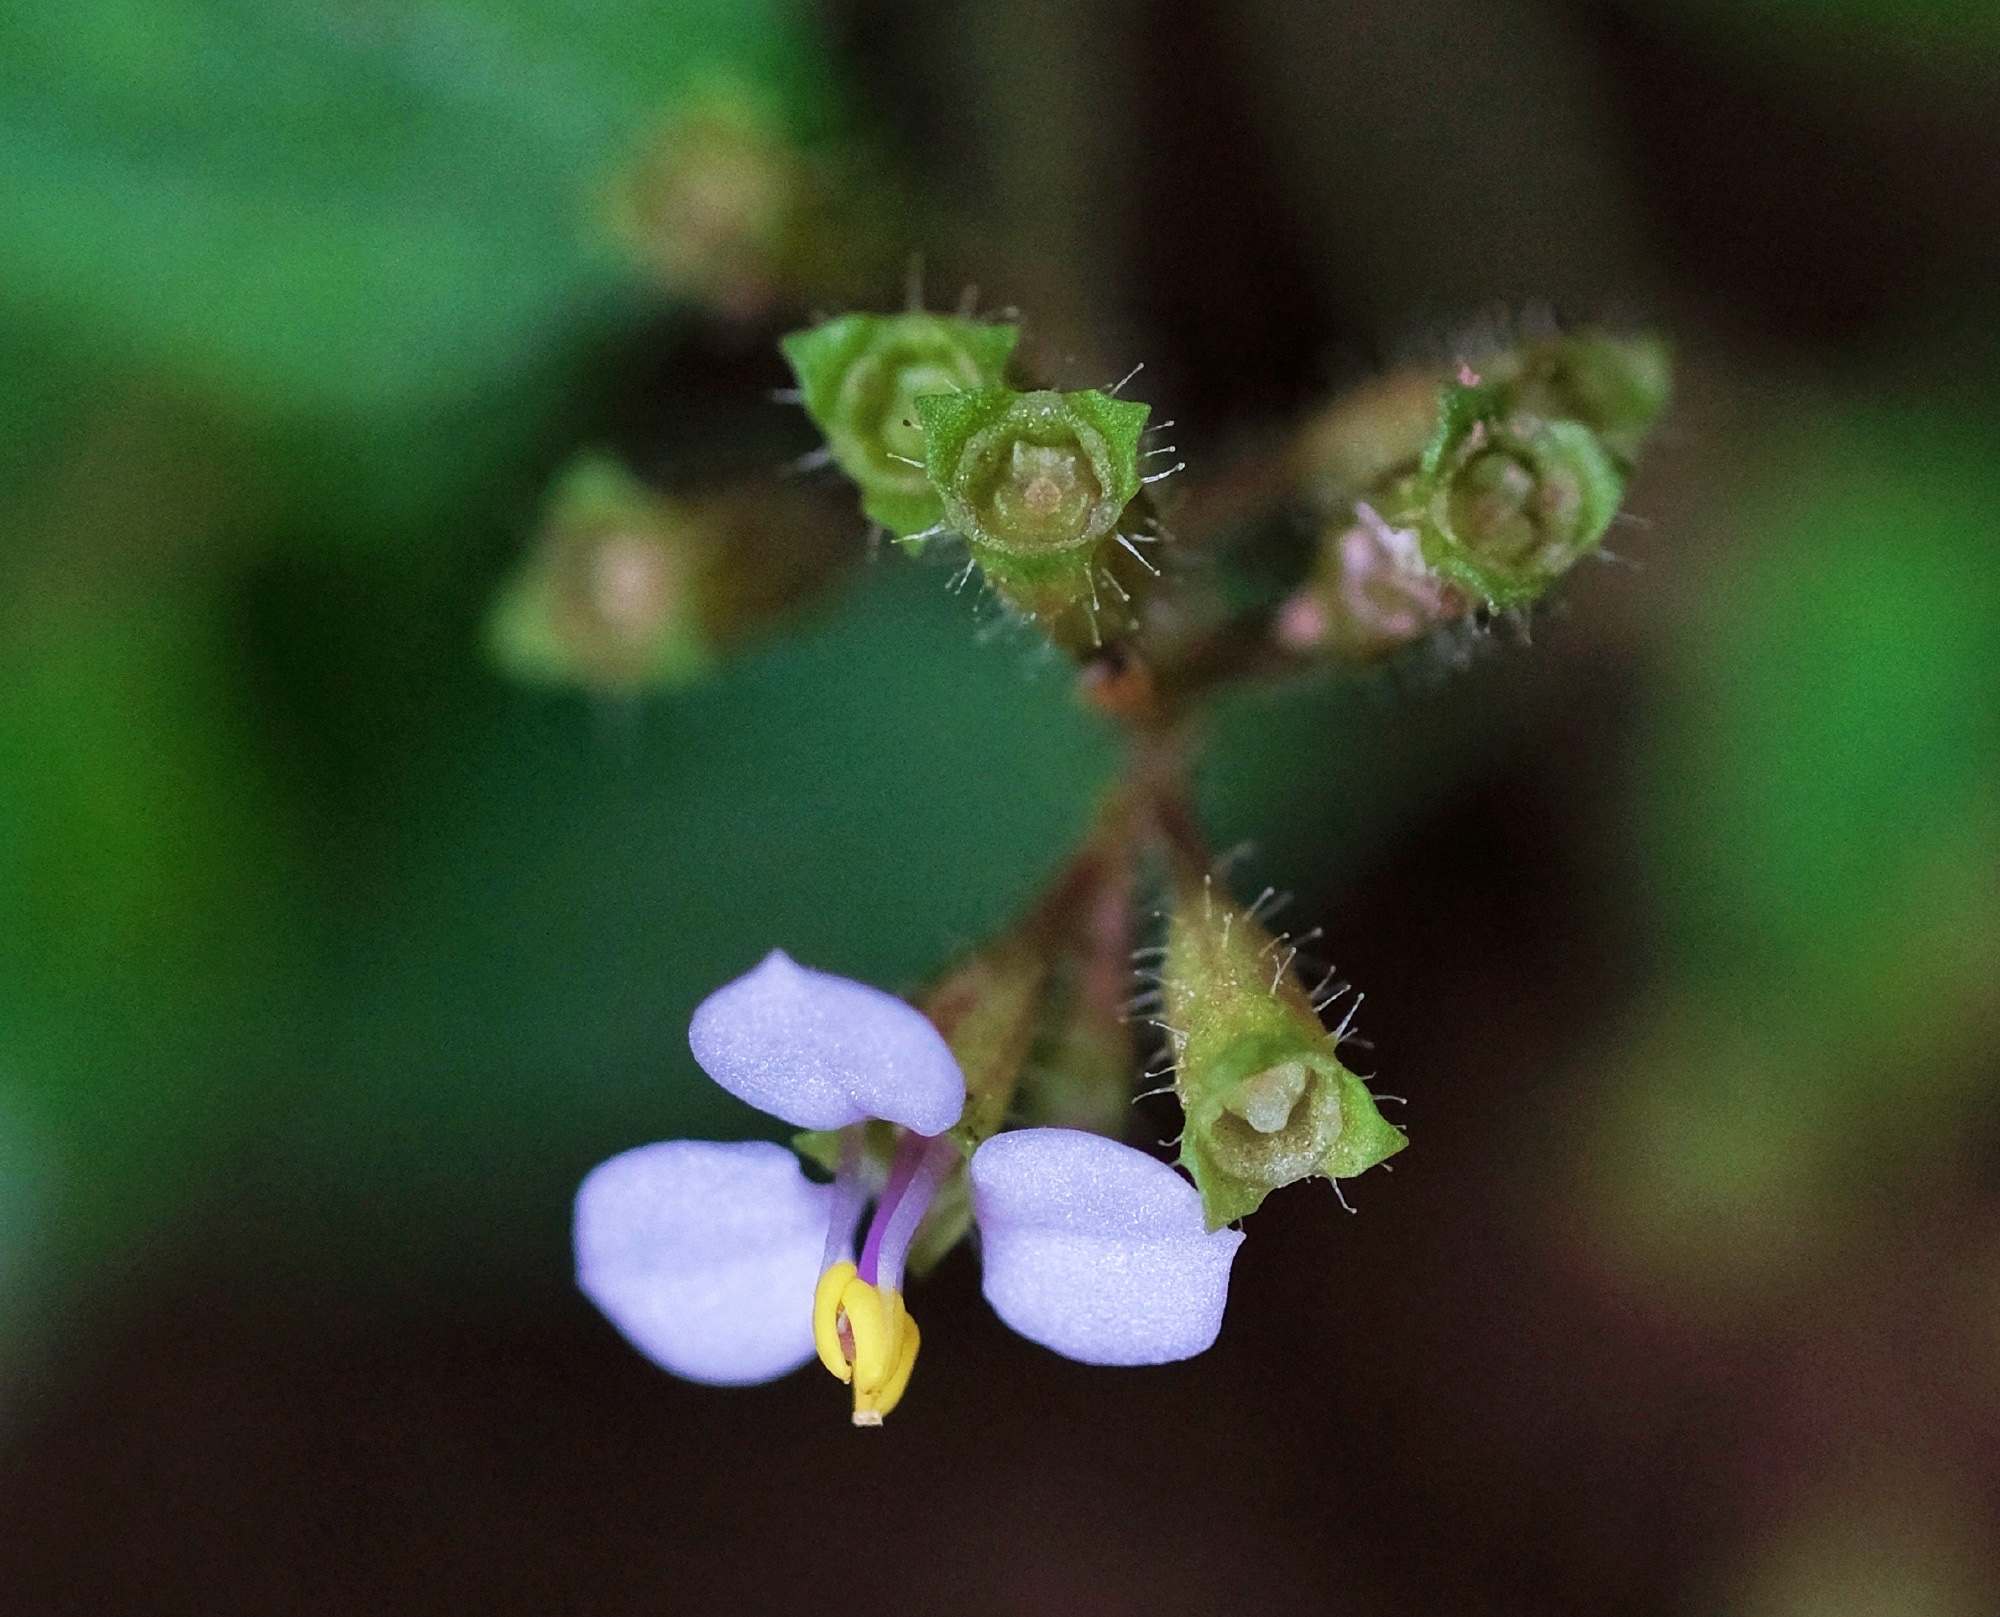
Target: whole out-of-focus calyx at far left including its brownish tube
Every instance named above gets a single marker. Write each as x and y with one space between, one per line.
627 589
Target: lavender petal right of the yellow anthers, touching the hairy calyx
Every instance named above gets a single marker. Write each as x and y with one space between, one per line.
1097 1250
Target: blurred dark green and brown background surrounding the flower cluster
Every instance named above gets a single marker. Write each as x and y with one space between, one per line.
331 960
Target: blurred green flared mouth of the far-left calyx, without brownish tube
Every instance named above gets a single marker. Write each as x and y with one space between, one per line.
611 593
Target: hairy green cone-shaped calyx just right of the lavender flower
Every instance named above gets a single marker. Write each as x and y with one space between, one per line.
1259 1078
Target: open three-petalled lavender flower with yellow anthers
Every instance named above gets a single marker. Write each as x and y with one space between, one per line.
725 1264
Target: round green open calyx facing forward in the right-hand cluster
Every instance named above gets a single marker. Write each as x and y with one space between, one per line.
1509 503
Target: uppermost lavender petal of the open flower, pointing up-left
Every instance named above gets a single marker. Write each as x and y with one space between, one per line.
823 1052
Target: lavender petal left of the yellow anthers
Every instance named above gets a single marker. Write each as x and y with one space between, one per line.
705 1256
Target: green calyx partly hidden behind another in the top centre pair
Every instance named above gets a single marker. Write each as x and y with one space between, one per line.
861 379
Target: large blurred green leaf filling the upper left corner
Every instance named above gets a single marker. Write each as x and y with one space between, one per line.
343 205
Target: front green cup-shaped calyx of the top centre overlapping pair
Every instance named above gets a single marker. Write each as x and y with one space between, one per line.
1039 485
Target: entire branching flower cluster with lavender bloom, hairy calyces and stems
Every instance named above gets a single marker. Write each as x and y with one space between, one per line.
1431 501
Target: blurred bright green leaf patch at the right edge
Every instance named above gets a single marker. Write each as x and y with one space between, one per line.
1825 789
